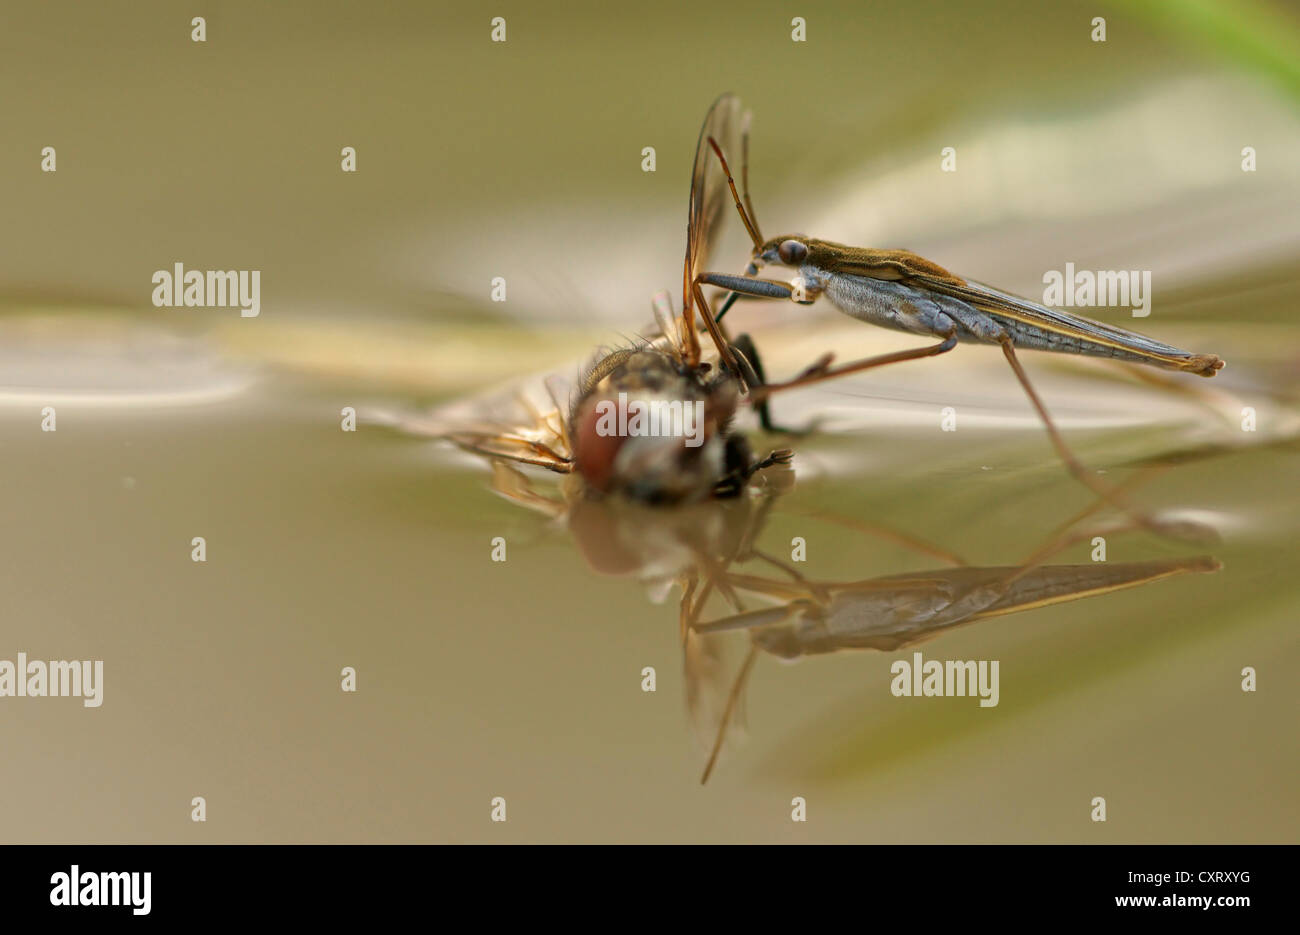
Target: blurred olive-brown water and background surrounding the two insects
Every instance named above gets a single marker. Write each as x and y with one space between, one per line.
523 161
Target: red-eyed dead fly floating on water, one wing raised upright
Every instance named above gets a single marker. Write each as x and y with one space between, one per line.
655 423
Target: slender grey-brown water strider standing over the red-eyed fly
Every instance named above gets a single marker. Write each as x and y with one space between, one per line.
900 291
